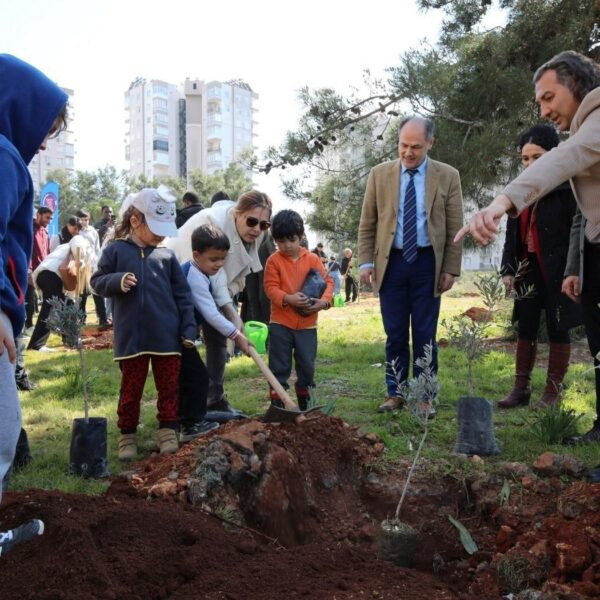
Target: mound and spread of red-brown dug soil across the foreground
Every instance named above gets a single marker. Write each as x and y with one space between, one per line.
315 498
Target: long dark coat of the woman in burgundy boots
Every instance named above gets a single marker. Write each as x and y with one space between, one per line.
554 215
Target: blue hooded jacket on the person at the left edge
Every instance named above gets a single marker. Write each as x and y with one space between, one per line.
29 105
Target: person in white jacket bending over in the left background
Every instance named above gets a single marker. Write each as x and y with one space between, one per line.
47 278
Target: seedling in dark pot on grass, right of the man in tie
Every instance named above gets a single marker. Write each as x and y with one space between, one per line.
475 425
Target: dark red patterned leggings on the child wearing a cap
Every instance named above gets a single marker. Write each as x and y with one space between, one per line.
134 372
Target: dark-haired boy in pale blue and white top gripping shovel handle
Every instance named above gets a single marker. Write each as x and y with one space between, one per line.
210 247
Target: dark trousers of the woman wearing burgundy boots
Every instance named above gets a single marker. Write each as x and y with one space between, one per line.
530 308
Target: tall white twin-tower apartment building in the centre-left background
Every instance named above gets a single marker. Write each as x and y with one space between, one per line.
175 131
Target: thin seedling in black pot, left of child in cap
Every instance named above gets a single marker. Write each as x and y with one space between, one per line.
87 456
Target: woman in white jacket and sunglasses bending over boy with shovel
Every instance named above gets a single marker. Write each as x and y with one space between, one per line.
244 222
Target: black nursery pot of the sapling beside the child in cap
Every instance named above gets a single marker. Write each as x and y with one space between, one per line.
88 454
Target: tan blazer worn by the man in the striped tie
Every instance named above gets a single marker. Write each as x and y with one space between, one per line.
379 217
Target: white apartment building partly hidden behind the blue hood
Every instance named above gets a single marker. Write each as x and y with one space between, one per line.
59 153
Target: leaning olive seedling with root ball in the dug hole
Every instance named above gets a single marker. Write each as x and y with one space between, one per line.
420 394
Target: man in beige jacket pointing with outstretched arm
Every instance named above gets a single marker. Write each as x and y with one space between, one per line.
567 88
